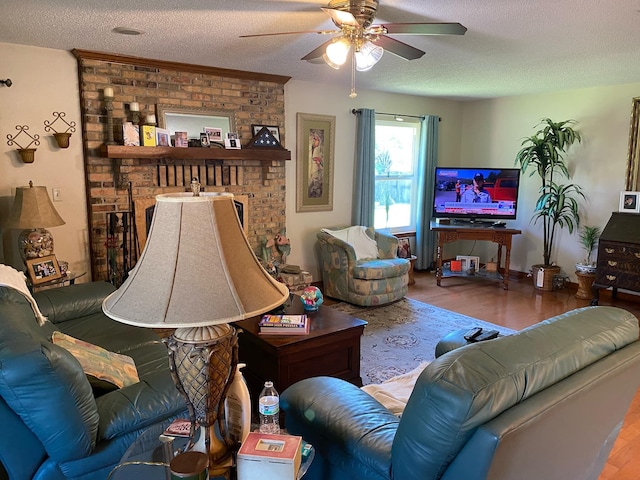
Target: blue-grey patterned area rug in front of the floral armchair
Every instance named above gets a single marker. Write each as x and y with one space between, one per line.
402 335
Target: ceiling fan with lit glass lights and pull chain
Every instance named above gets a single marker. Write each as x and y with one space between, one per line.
365 40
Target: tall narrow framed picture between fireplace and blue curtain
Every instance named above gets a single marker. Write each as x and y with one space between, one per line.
314 166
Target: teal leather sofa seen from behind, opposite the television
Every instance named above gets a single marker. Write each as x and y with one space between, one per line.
545 403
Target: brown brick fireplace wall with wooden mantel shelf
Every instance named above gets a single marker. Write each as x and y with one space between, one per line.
123 187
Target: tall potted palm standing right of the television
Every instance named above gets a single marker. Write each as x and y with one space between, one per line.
543 153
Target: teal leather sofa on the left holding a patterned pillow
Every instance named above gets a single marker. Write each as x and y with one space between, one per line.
55 426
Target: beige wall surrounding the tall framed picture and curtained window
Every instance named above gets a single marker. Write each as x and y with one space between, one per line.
307 97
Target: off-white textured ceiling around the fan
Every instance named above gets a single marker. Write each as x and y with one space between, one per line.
511 47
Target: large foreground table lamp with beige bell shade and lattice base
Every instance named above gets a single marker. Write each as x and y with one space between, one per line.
197 273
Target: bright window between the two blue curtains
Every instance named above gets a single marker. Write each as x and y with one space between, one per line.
396 174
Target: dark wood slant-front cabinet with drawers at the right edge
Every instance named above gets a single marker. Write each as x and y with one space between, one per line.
619 255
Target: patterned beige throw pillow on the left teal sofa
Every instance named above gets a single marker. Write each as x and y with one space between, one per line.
103 365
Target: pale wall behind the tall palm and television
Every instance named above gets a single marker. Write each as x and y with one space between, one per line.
493 131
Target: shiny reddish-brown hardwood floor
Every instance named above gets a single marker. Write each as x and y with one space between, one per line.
522 306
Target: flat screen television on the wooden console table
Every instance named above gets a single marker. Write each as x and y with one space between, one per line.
476 194
